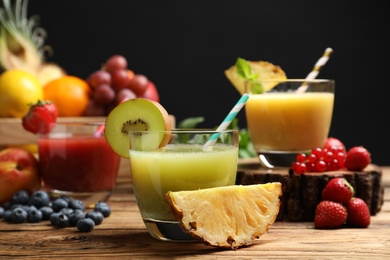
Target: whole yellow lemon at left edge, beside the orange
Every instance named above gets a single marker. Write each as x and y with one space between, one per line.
18 89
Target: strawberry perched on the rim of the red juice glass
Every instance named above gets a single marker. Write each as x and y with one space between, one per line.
40 117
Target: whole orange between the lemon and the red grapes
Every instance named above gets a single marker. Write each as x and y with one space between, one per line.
69 93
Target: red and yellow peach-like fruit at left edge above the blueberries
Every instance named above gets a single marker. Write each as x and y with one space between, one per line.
18 171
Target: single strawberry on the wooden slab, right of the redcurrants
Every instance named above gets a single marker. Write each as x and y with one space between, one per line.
357 158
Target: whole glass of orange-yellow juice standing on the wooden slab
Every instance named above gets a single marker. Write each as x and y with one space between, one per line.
293 117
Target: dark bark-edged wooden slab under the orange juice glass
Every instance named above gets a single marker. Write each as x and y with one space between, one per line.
302 193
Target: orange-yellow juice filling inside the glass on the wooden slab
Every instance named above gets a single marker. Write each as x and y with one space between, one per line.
289 122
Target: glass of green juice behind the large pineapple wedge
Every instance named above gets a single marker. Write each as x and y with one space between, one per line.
183 164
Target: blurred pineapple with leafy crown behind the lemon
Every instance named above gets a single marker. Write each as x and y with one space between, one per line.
22 42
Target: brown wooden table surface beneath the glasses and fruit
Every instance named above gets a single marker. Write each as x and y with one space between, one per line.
123 235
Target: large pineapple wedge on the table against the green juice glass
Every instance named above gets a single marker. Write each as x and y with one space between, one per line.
227 217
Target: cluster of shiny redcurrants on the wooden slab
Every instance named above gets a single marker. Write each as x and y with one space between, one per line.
320 160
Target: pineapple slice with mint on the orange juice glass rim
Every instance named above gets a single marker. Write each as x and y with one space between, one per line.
265 71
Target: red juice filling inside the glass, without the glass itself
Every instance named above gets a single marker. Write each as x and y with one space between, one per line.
77 164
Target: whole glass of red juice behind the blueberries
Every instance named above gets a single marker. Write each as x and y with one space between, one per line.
76 160
